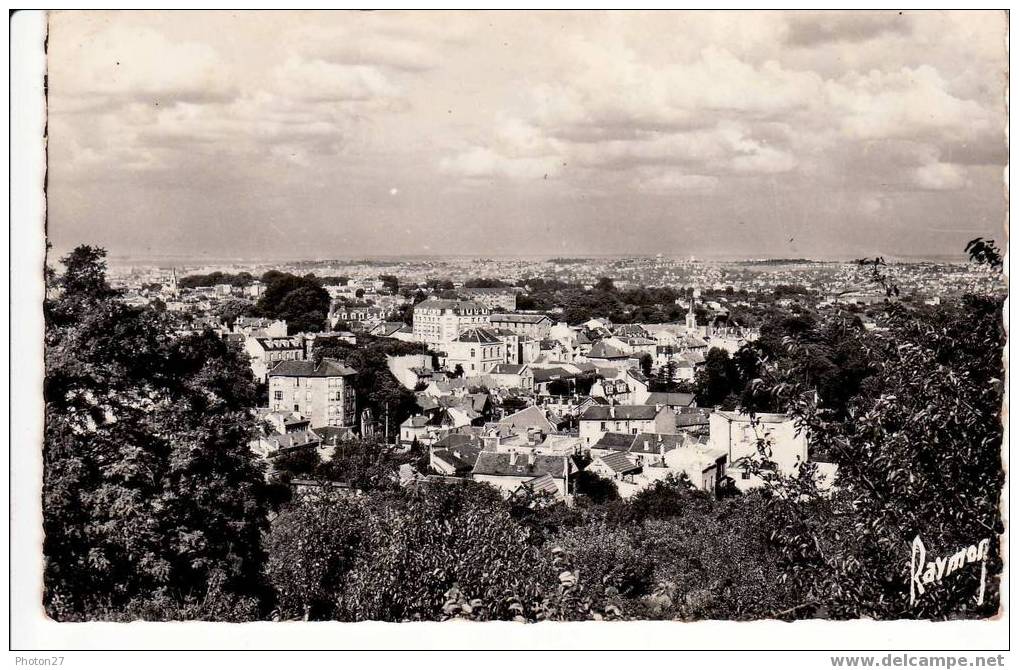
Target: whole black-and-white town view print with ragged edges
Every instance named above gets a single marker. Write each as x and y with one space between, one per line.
530 317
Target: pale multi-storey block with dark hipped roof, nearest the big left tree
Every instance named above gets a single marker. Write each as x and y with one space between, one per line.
324 393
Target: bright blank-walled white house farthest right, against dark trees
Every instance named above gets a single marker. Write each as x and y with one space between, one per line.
739 436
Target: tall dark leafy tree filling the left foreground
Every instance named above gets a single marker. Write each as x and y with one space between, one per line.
152 502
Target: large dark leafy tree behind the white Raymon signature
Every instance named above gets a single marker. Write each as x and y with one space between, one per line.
919 456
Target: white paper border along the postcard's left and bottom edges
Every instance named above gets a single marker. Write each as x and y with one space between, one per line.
32 631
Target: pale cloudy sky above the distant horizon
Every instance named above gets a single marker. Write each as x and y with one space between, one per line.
307 135
